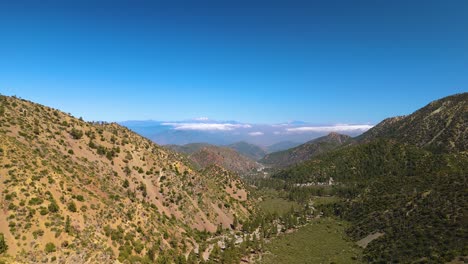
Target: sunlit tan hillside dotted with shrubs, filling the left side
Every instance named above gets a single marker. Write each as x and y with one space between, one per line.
79 192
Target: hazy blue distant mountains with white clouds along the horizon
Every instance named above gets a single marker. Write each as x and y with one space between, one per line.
271 137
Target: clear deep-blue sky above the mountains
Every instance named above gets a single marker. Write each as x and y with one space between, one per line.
251 61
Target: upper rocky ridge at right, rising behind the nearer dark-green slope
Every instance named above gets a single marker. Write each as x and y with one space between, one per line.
440 126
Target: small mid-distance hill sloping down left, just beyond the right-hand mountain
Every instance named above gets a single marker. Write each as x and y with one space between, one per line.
306 151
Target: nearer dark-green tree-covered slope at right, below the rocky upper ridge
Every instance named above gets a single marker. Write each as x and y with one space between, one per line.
417 199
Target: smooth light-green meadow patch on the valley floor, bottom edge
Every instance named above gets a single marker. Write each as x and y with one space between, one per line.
321 241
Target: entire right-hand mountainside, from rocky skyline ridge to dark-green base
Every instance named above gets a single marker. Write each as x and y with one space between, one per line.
405 180
